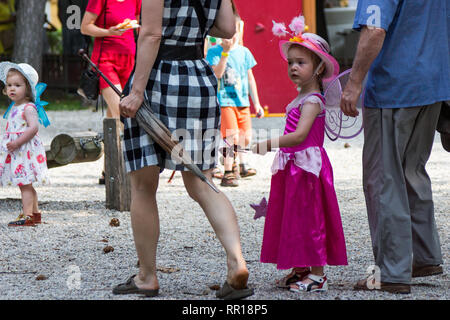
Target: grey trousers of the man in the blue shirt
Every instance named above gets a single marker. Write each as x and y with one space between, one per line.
397 145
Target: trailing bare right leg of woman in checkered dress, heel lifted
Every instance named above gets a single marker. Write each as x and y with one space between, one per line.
222 217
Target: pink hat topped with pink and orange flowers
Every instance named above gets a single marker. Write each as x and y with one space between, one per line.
310 41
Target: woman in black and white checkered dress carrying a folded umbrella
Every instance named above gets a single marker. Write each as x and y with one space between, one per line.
182 93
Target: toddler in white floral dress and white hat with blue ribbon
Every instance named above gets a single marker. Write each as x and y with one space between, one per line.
22 154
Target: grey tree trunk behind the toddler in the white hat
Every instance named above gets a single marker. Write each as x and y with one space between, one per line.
28 42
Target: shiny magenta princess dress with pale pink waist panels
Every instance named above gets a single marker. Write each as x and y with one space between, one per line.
303 225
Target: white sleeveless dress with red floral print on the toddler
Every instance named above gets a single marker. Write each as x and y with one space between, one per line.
27 164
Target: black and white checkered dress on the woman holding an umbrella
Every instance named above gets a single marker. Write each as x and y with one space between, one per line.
182 94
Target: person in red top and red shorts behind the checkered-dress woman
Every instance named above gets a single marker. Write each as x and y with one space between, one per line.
114 50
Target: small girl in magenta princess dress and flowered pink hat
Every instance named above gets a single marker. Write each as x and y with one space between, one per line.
303 228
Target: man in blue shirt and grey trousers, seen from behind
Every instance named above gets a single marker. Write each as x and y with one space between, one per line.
404 48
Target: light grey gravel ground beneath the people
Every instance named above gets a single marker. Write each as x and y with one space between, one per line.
67 251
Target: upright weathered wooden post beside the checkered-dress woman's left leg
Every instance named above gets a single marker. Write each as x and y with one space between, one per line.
117 182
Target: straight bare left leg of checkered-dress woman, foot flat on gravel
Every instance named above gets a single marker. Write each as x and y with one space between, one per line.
145 224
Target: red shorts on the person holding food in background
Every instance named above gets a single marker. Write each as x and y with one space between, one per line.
116 67
